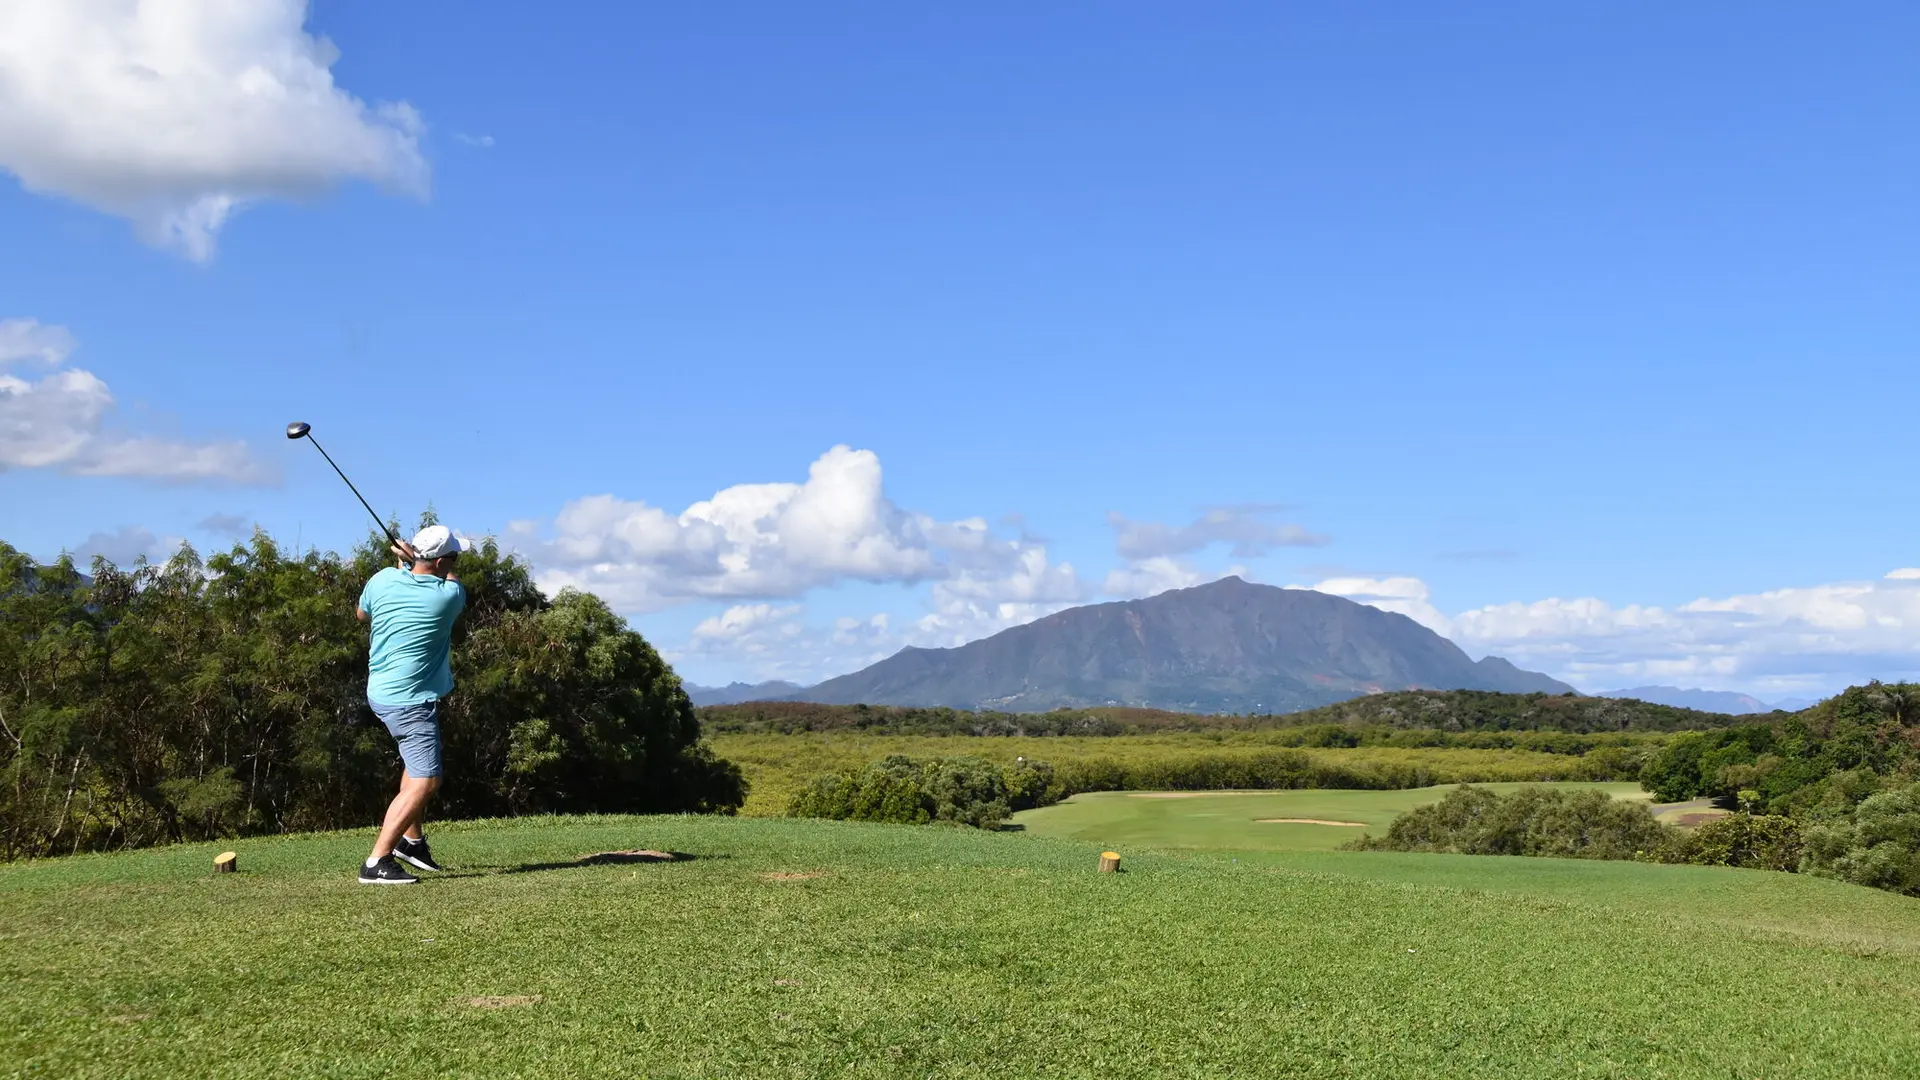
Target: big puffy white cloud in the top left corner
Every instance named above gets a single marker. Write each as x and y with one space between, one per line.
174 114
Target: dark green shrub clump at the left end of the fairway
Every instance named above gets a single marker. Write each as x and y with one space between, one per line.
957 791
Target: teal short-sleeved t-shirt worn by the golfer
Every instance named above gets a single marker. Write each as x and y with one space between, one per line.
412 635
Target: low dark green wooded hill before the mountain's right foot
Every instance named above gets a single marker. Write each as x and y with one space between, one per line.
1468 710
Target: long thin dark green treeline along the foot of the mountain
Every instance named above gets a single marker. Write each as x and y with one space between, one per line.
1378 720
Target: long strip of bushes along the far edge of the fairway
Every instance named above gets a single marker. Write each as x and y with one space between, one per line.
969 791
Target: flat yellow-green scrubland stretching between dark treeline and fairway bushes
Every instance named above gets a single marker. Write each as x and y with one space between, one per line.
779 766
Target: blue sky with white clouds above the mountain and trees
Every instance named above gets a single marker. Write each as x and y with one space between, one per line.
1579 335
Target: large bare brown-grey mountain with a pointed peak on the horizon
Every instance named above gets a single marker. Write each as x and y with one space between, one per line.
1220 649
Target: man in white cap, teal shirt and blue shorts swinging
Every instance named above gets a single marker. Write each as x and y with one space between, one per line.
412 610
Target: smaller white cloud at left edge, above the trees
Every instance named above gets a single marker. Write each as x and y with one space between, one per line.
60 422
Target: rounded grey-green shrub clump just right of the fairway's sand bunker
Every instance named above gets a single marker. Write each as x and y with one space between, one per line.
1533 822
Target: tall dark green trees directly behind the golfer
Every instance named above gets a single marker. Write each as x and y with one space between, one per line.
228 697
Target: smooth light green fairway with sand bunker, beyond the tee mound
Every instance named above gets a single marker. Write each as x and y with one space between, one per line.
1243 822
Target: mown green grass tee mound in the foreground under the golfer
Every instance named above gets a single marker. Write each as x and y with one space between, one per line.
932 952
